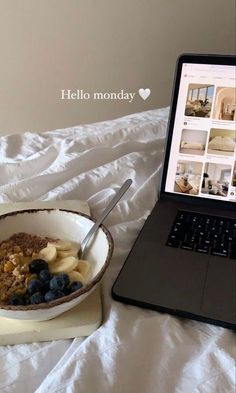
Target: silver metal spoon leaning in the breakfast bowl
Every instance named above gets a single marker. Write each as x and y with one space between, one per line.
104 214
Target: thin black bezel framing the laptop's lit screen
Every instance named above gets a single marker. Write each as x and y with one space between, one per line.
197 59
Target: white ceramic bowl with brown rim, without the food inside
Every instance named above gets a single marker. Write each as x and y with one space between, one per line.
62 224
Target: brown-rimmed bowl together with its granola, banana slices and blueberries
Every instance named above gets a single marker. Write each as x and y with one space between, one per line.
54 229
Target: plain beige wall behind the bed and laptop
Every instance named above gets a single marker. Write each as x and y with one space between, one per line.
98 45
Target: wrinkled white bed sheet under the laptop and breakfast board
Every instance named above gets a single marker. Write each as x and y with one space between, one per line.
134 350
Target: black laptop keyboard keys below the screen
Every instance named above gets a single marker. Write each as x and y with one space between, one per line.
204 234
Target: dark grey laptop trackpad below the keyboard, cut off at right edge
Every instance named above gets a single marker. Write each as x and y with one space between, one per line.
220 290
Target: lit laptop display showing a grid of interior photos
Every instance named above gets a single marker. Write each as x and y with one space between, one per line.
202 161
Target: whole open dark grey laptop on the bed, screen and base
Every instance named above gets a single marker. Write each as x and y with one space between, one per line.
184 259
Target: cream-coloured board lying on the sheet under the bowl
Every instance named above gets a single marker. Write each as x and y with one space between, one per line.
82 320
